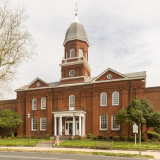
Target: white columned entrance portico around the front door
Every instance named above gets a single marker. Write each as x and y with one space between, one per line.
69 126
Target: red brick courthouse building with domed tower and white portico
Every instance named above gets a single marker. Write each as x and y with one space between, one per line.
96 100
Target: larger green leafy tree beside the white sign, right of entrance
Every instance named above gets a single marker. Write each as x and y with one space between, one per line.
131 114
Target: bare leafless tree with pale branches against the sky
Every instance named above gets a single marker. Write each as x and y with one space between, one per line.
16 44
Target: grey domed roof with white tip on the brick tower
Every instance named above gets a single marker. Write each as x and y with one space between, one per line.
76 31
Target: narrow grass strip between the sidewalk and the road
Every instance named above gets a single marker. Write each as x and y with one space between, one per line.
81 152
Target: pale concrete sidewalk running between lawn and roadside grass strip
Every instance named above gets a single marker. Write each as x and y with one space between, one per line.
156 154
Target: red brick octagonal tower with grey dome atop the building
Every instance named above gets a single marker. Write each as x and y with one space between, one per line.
75 67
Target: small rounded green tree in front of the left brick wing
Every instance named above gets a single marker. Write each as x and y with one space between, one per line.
10 119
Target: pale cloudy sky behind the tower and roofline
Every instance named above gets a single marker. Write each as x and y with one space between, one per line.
124 35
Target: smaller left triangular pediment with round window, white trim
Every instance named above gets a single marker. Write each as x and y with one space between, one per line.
37 83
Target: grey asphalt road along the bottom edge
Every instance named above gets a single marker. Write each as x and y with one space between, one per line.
57 156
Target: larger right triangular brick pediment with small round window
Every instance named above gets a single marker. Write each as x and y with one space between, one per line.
109 74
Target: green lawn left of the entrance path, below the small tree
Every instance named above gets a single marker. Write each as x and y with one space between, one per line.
12 142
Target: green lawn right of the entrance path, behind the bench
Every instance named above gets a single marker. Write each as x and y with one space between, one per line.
116 144
